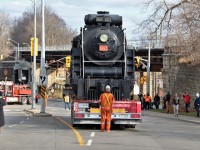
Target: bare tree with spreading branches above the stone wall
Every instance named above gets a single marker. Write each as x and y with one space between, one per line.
176 24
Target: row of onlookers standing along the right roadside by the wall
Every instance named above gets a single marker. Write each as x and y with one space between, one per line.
170 100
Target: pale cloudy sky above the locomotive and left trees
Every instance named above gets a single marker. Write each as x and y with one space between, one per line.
73 11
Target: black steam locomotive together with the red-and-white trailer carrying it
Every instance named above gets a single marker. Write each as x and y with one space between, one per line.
100 57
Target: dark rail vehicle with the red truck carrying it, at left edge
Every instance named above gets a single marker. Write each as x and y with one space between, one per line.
15 81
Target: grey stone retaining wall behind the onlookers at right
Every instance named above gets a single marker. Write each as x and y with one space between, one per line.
180 78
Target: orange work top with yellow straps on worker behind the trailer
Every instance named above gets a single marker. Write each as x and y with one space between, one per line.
106 100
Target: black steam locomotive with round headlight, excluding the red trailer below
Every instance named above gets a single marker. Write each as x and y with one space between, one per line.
100 57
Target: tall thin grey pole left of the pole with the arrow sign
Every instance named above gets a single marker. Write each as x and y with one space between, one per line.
34 60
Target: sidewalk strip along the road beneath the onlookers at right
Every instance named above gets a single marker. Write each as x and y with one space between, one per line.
171 116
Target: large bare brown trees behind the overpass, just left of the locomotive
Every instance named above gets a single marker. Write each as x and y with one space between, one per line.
57 32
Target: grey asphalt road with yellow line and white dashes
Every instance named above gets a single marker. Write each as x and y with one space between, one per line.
24 132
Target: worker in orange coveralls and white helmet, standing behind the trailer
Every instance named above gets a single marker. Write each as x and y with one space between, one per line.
106 101
